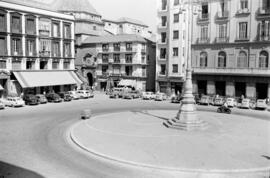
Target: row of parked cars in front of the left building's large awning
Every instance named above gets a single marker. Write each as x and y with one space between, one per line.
31 99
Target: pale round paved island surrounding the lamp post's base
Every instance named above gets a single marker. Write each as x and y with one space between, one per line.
232 146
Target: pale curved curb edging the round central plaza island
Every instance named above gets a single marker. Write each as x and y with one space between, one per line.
265 170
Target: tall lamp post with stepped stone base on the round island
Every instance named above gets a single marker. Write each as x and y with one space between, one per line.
187 118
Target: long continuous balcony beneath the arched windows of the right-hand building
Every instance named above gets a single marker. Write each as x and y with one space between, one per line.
233 71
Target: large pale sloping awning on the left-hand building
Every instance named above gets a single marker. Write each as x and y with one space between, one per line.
30 79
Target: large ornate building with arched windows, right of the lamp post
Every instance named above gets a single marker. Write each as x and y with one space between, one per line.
231 48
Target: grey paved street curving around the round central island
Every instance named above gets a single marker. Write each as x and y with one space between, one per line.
34 144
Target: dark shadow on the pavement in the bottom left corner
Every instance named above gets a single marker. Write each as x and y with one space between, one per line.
11 171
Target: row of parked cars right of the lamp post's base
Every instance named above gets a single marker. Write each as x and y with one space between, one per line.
245 103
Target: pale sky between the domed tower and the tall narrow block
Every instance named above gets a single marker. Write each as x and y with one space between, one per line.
143 10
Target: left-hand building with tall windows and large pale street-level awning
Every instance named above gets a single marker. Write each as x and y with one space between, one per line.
36 50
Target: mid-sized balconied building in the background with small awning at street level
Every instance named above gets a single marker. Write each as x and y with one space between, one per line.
118 57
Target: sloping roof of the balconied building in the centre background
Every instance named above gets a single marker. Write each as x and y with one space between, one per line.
115 39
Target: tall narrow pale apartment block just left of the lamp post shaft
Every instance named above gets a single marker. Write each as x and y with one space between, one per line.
172 46
